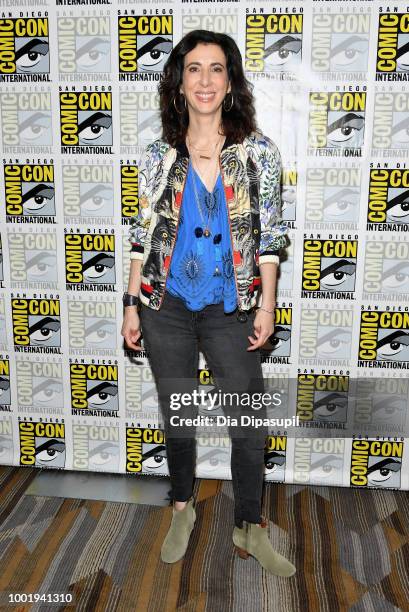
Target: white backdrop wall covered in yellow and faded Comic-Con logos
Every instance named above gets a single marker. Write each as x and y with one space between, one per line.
78 104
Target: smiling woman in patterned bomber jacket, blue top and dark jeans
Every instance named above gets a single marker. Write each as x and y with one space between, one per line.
205 239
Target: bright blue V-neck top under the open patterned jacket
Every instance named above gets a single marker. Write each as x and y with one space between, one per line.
201 270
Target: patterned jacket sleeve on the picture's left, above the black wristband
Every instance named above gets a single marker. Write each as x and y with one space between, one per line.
140 222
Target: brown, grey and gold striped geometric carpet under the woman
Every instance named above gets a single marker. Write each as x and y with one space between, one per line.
351 550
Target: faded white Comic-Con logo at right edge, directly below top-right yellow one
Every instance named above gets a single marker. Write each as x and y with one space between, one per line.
390 124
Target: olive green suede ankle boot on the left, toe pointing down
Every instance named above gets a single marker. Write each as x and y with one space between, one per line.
176 540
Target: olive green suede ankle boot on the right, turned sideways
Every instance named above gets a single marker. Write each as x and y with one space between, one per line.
252 539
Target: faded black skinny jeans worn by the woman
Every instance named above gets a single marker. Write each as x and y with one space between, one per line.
172 338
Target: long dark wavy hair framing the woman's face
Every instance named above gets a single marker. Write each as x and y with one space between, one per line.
237 123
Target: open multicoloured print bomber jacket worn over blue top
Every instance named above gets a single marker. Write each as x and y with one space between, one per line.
251 173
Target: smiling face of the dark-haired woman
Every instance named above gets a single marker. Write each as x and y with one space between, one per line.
205 81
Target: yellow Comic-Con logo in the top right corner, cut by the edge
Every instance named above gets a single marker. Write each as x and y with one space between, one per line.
392 56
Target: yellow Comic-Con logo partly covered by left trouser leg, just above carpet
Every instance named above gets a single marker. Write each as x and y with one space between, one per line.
146 451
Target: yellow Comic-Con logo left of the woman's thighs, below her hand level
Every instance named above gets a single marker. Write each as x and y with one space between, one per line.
94 389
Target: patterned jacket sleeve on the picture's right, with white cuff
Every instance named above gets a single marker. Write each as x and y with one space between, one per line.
273 231
